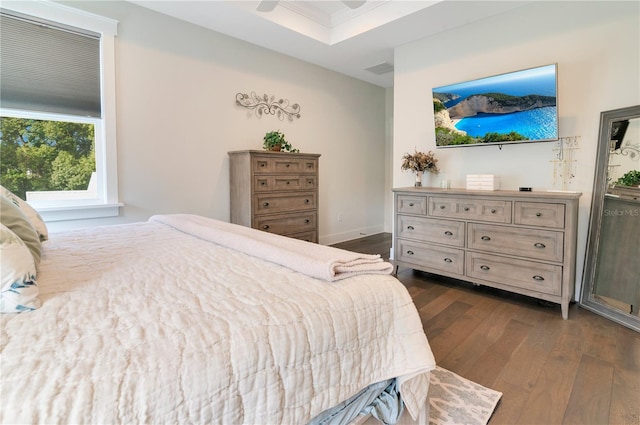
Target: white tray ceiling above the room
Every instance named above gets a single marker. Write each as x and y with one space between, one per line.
330 34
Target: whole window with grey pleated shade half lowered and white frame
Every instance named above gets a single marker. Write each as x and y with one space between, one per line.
58 73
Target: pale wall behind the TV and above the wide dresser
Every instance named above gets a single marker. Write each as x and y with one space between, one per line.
597 48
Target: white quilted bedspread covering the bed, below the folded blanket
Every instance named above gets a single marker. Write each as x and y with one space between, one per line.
142 323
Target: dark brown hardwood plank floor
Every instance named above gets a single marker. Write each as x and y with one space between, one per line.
584 370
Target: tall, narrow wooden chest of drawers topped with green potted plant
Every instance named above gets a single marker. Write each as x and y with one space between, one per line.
276 192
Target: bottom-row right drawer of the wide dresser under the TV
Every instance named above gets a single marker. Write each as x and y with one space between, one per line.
540 277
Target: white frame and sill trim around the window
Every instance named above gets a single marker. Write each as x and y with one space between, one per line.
107 203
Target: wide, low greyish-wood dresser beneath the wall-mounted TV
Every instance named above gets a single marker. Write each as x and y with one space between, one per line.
524 242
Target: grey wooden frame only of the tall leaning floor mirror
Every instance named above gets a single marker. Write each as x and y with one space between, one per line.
607 118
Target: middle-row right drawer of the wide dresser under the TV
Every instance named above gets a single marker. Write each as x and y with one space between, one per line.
535 244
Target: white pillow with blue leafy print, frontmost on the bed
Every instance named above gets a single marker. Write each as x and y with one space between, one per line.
18 272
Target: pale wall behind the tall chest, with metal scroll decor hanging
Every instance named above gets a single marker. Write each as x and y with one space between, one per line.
177 119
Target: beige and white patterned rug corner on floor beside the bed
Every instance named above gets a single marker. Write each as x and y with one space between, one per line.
456 400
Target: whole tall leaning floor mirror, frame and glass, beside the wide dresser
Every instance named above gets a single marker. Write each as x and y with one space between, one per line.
611 280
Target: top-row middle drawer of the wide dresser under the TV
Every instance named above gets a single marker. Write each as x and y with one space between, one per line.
469 208
